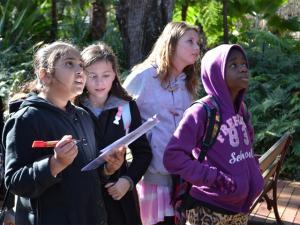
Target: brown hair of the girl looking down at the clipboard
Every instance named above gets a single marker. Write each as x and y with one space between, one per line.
102 52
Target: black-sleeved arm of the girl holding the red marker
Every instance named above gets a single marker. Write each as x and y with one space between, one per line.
27 171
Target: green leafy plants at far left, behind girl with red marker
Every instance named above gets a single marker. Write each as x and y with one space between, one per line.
22 24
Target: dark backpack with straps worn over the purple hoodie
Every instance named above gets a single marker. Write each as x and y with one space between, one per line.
181 188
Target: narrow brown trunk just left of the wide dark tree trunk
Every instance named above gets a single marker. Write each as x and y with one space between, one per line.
98 17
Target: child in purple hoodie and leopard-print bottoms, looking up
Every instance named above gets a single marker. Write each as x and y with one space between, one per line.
229 179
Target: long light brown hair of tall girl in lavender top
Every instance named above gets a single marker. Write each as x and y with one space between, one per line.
162 53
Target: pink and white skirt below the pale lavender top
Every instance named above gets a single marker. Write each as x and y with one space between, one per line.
154 202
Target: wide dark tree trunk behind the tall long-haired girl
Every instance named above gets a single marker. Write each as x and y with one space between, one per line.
140 23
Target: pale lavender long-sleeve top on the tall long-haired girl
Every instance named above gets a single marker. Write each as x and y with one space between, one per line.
169 103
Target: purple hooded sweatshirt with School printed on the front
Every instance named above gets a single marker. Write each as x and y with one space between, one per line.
231 154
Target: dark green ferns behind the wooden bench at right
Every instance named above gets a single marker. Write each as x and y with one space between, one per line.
274 92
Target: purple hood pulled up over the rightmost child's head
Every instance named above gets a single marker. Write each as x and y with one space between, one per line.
213 65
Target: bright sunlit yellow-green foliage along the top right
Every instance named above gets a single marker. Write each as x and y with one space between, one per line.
243 15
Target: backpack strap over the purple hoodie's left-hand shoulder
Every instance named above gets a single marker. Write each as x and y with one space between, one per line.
213 124
